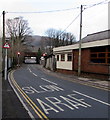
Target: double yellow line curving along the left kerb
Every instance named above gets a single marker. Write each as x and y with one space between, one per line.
40 114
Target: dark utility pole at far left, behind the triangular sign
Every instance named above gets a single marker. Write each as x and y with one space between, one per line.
3 42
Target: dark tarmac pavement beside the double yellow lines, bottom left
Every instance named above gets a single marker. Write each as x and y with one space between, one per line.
12 109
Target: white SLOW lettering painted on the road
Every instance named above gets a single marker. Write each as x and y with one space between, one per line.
41 89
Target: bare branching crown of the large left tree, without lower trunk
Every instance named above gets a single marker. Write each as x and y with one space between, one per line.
18 28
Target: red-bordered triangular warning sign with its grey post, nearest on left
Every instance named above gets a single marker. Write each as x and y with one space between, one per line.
6 46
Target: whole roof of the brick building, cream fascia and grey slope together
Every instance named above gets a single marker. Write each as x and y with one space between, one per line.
91 40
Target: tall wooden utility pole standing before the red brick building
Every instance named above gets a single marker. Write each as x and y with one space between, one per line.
80 42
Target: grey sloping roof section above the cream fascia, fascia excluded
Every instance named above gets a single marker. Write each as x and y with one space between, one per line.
97 36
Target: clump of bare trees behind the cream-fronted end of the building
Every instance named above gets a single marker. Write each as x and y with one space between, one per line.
58 38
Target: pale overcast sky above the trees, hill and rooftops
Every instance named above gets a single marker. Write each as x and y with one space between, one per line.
95 19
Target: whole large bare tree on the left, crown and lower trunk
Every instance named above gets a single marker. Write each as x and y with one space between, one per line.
17 30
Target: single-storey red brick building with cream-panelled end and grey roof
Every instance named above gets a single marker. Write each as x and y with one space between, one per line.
95 56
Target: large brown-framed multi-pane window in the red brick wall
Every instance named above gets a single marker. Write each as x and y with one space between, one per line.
100 55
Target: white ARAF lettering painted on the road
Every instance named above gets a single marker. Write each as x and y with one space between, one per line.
69 102
